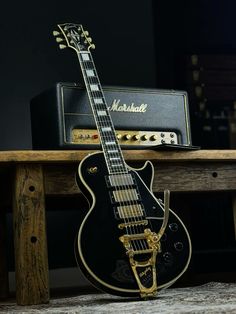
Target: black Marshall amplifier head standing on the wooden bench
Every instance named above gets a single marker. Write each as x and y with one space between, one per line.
62 118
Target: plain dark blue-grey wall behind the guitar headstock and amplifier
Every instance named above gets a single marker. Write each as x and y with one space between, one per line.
30 60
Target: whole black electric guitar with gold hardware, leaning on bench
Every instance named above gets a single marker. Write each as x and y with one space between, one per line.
129 243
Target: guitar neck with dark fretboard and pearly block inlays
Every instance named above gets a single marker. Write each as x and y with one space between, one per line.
111 148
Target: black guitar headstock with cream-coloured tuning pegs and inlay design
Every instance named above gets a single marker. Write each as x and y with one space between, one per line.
73 36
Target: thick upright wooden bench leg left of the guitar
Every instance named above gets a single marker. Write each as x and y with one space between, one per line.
31 262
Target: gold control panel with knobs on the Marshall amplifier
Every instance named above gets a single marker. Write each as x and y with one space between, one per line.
126 137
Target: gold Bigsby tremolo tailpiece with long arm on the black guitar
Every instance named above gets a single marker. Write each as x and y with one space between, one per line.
143 261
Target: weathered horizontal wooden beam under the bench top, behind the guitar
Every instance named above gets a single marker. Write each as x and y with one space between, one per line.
194 176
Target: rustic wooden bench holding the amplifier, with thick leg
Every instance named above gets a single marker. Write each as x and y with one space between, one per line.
26 177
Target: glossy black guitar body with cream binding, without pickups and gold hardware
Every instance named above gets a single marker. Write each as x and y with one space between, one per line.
101 254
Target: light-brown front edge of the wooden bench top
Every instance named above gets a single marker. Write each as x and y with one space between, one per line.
72 156
